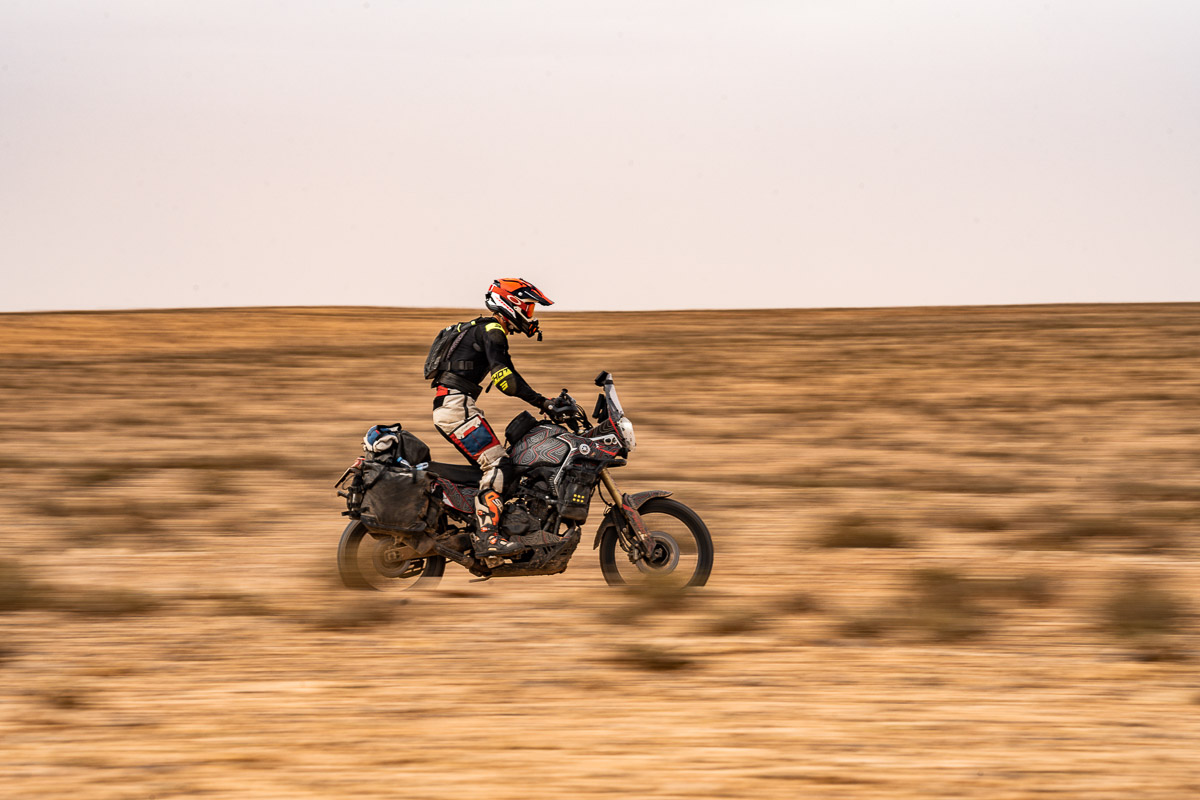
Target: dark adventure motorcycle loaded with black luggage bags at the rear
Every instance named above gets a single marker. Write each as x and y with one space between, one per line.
556 468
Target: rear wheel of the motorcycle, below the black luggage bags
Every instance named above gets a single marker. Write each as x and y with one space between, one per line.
377 563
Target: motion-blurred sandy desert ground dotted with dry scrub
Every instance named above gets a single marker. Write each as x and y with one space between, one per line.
957 557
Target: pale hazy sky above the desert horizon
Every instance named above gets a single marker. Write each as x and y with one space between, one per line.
619 154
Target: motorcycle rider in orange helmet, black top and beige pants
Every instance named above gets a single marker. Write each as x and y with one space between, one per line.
484 352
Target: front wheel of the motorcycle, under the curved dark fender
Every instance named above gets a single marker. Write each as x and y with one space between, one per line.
683 549
